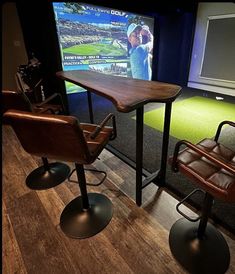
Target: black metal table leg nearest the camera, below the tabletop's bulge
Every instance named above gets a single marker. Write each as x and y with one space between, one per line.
139 153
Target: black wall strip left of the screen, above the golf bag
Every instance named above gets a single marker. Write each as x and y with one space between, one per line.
39 31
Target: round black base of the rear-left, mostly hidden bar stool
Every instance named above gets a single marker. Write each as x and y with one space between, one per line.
40 179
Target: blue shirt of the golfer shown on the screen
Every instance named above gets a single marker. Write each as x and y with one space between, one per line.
140 63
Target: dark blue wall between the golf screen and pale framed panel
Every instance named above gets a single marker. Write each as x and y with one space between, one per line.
174 45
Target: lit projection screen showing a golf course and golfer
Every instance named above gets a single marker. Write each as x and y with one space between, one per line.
97 38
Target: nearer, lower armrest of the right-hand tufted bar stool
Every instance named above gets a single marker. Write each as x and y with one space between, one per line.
195 148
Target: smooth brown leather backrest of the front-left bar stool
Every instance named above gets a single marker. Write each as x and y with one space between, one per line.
52 136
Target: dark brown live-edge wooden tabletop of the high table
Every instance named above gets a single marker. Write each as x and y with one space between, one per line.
126 94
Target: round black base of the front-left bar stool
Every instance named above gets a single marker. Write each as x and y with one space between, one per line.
78 223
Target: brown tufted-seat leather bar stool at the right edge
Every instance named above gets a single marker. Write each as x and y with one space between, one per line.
195 243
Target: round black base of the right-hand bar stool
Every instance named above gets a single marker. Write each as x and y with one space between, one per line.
209 255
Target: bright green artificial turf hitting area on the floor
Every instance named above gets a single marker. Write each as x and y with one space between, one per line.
192 119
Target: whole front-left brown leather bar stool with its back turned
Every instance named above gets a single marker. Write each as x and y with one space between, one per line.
62 137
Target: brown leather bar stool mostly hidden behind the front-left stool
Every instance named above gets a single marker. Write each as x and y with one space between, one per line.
49 174
